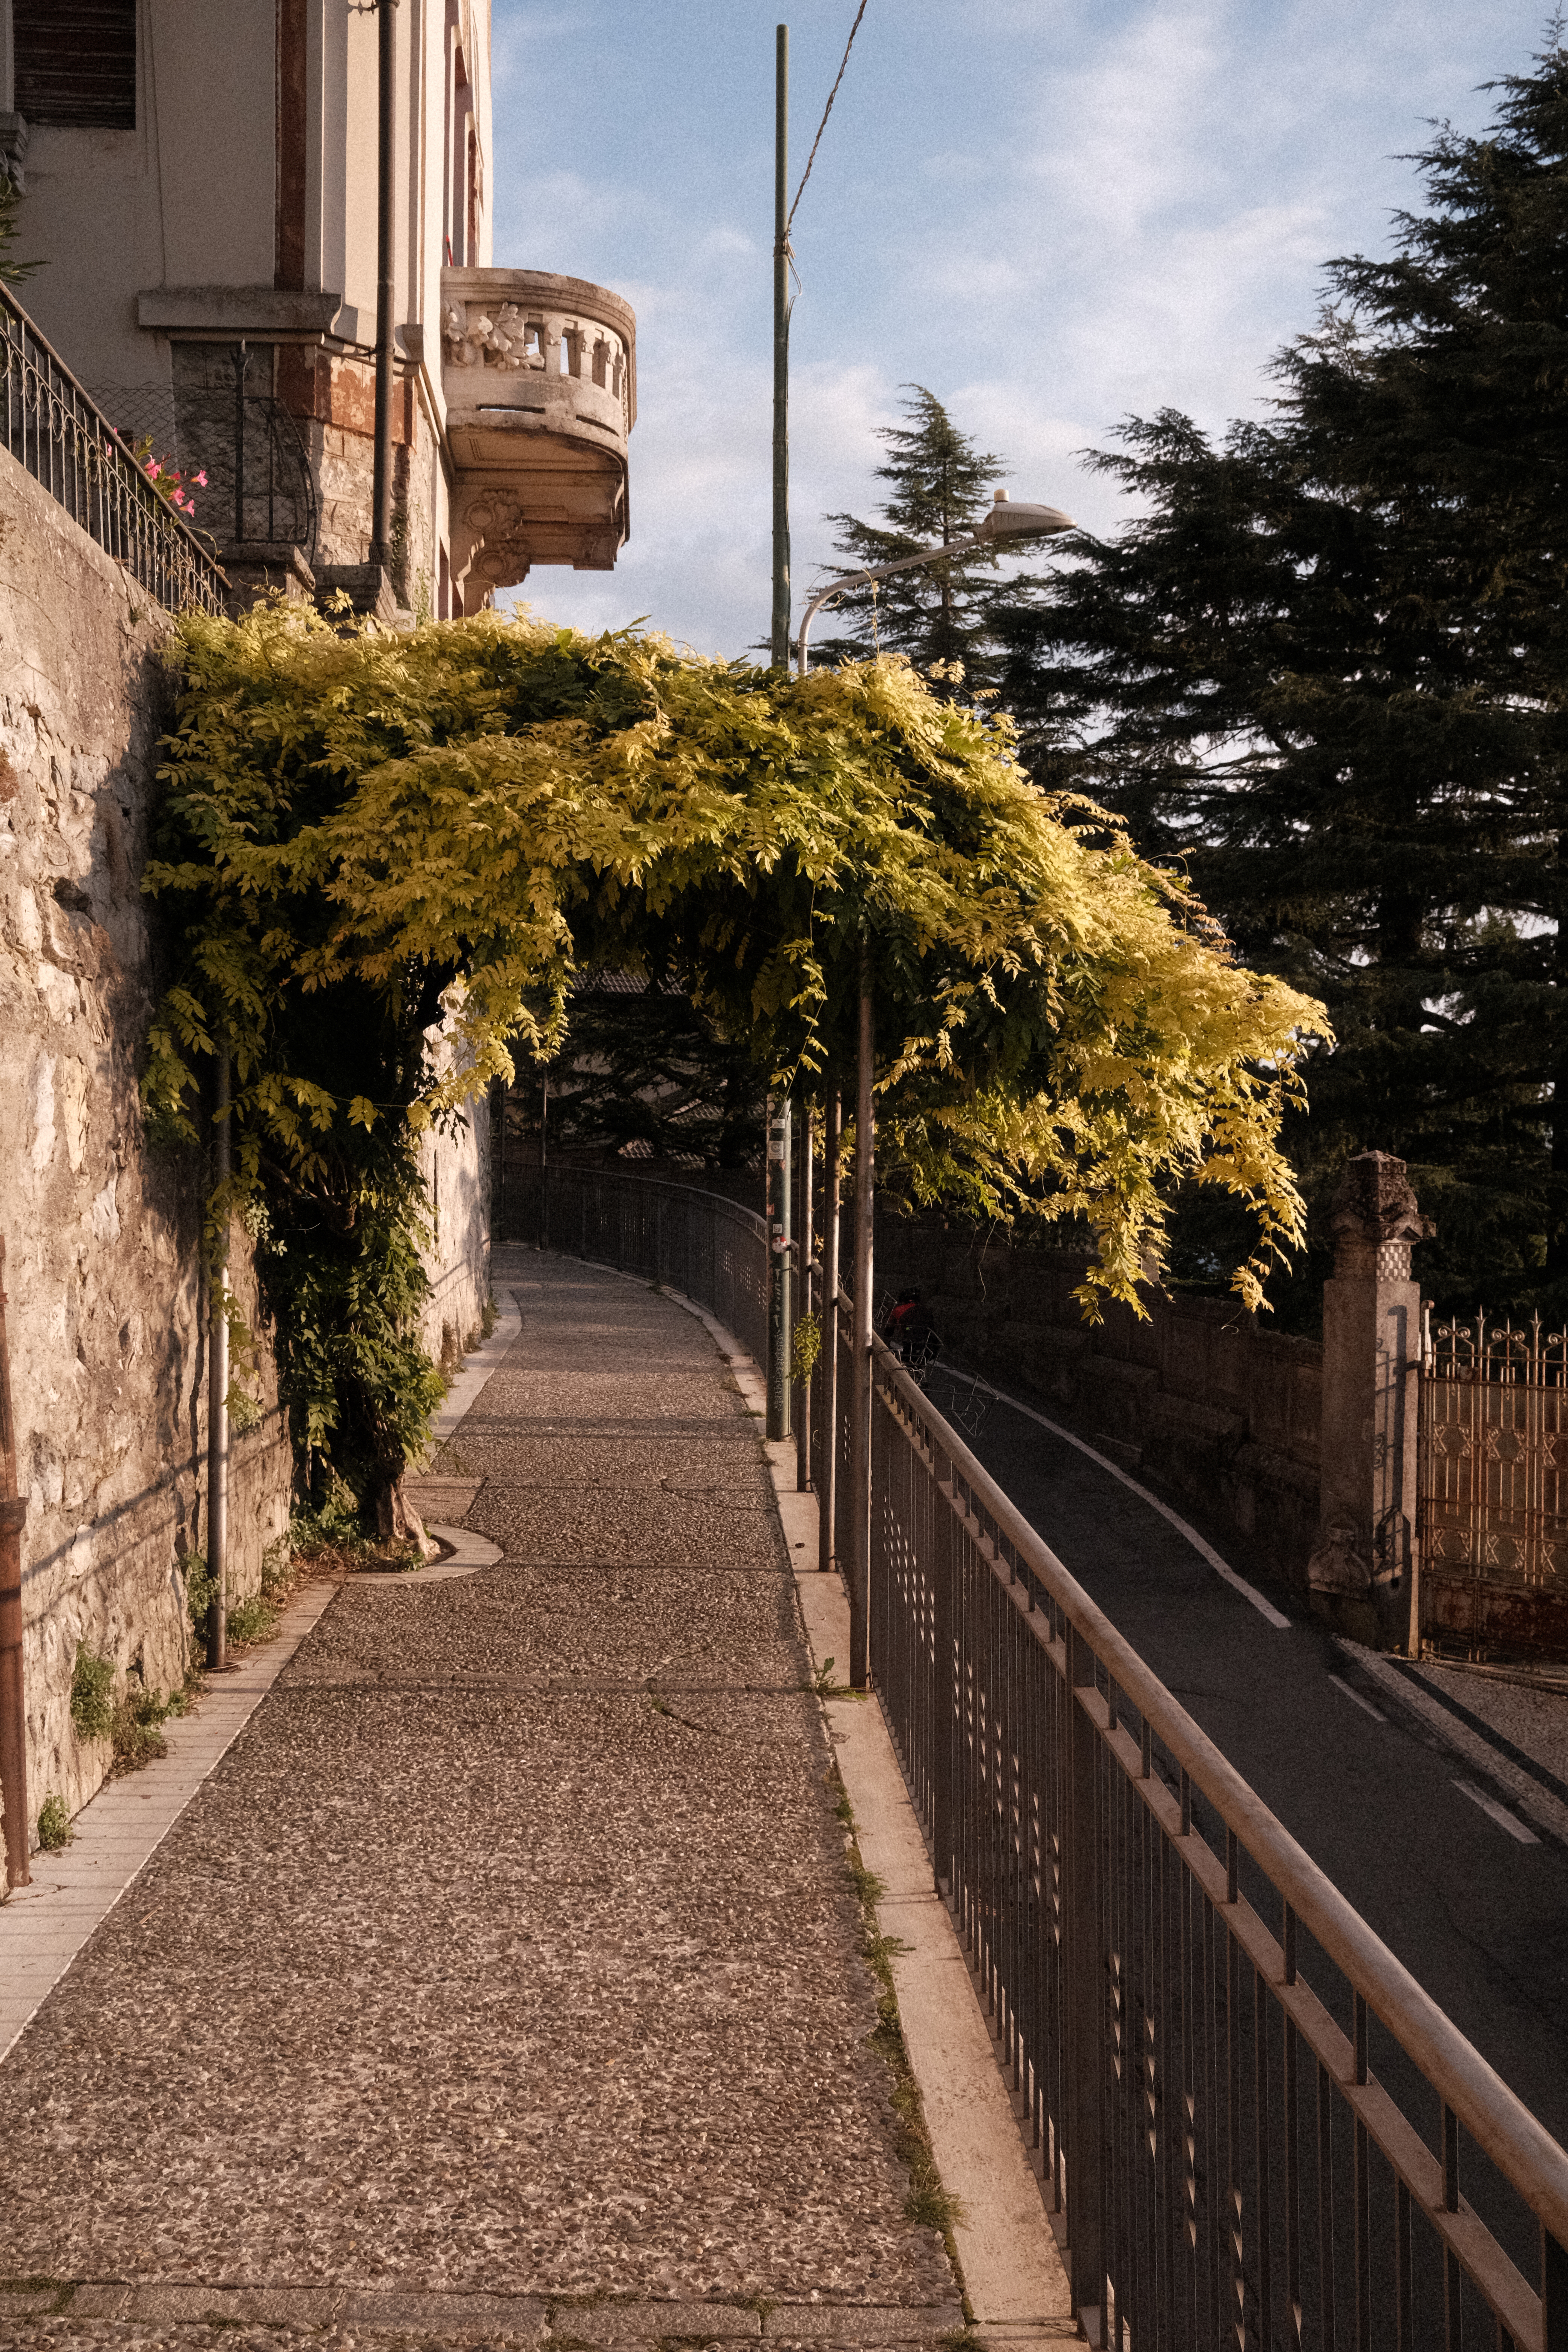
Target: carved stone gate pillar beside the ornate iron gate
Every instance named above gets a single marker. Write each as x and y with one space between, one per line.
1362 1561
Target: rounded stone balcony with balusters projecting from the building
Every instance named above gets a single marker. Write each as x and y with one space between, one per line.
542 392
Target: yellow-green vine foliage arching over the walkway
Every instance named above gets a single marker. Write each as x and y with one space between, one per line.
462 817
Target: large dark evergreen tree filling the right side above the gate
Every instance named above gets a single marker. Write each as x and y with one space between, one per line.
1327 671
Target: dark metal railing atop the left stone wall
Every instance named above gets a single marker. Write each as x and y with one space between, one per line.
65 441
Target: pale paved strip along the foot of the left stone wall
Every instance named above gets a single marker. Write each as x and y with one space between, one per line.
114 1838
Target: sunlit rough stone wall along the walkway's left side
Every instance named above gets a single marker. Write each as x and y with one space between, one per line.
107 1311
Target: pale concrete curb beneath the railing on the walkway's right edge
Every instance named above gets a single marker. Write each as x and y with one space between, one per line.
1014 2271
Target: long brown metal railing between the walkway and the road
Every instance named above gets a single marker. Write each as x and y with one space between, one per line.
1254 2125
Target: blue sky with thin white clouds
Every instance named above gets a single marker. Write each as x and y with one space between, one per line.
1047 213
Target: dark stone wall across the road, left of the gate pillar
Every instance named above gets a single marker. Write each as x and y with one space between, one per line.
1202 1398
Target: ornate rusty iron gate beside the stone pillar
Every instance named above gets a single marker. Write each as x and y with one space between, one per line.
1494 1488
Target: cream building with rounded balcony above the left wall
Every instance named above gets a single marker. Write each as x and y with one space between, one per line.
203 187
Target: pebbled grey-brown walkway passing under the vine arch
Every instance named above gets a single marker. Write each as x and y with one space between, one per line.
504 1979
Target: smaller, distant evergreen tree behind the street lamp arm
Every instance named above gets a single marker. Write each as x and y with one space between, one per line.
939 490
